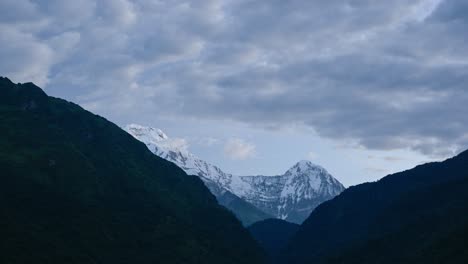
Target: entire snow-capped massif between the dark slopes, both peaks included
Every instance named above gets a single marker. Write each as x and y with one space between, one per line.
291 196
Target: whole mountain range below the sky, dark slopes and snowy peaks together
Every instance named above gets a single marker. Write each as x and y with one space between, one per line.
76 188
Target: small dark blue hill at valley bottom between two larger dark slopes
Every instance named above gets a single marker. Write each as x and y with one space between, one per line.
273 235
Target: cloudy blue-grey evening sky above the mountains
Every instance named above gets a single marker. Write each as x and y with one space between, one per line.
364 88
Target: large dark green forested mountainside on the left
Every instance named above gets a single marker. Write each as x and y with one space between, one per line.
75 188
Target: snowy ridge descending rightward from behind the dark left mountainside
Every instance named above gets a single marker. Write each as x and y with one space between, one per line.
214 178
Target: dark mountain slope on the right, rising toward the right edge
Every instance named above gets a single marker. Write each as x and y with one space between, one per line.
416 216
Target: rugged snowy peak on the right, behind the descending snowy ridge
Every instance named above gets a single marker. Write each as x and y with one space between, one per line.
293 195
